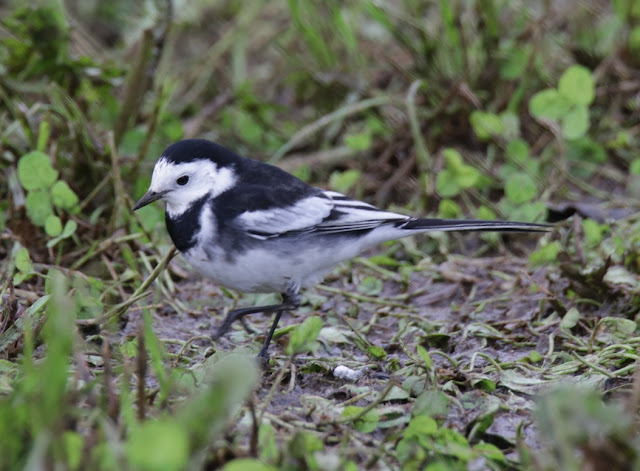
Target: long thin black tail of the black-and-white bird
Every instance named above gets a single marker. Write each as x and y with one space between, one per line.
471 225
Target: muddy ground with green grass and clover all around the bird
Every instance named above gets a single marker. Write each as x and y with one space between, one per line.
481 352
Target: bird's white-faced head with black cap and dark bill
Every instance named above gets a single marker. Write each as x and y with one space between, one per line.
187 171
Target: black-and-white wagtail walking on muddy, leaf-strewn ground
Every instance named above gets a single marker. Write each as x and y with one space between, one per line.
253 227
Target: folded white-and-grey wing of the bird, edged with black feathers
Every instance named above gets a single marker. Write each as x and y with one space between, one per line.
326 212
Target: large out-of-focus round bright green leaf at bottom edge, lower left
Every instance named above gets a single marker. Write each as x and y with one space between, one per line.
158 445
